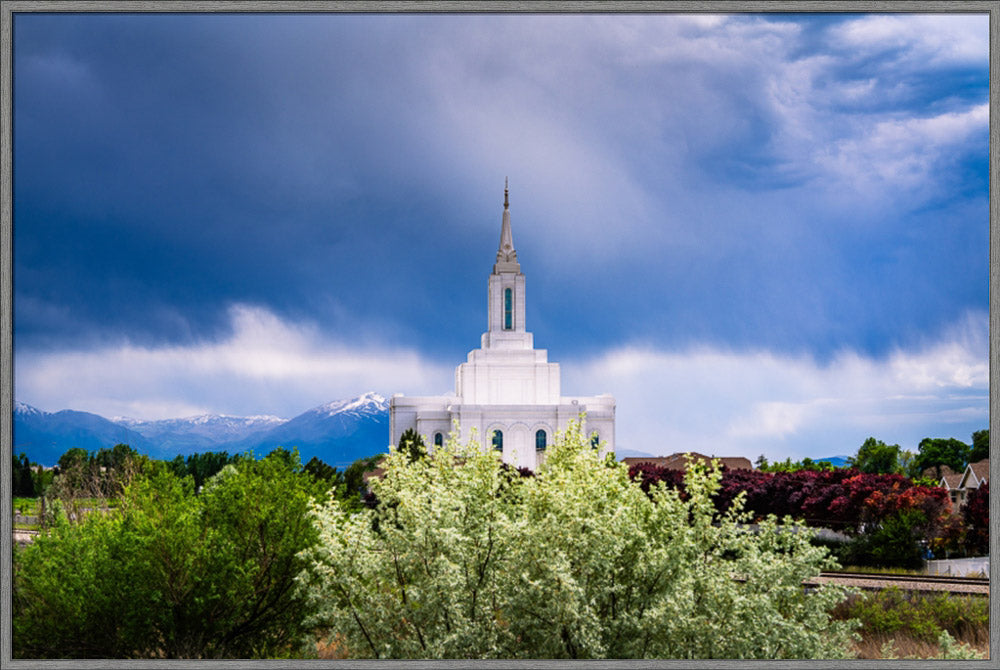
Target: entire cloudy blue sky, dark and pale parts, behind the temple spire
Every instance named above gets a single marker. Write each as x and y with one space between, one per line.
764 234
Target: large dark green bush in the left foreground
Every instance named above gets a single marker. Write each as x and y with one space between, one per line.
171 573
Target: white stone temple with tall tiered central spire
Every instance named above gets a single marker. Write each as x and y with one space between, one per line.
507 391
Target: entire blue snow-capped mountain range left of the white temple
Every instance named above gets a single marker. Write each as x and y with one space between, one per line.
337 432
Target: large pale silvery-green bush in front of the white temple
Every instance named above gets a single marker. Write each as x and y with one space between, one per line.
464 558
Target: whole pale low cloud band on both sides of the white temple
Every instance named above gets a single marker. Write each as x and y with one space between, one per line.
702 399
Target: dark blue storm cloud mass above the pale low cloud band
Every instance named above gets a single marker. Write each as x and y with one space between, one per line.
666 179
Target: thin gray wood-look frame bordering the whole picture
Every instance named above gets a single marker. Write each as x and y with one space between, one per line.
7 11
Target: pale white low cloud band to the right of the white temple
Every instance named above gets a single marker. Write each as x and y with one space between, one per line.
748 403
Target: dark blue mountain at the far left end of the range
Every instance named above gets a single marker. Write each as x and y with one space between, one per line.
45 436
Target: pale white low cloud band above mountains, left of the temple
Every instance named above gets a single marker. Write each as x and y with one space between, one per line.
266 366
